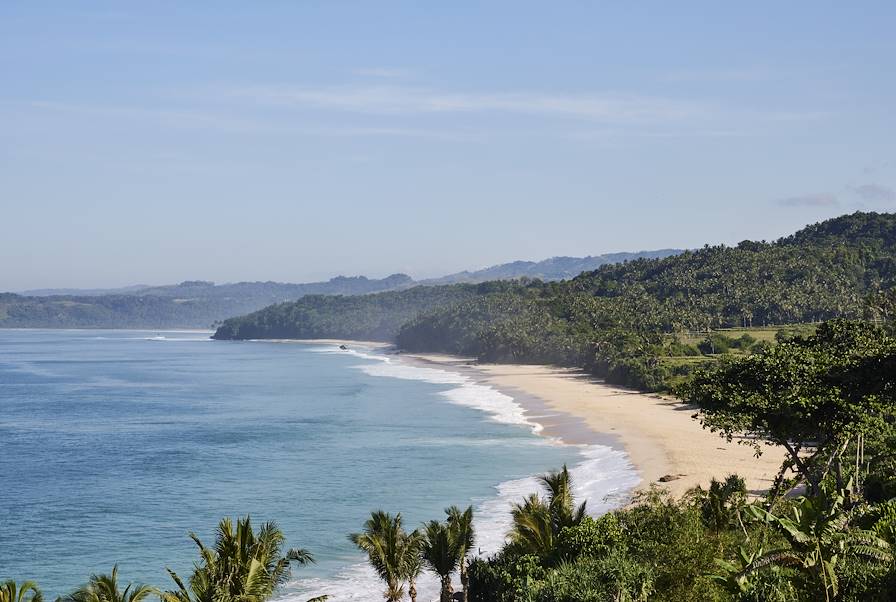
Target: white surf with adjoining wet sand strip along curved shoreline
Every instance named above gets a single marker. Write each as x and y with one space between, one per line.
603 474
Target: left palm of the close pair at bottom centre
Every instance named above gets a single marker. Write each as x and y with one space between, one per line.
392 553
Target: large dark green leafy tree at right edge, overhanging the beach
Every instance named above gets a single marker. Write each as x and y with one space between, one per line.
811 395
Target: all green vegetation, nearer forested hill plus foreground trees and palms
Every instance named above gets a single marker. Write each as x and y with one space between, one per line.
825 392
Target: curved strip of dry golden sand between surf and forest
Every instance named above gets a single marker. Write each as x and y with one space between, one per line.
659 435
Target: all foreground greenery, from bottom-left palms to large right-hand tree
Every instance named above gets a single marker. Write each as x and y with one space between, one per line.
825 531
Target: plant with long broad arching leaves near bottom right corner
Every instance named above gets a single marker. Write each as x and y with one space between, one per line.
819 536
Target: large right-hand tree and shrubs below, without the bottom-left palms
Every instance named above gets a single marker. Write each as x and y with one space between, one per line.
826 531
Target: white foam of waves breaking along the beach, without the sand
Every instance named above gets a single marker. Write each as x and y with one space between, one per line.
604 477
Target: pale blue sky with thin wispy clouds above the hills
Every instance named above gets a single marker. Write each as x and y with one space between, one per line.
154 142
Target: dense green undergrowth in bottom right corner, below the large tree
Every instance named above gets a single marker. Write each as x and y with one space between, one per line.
803 549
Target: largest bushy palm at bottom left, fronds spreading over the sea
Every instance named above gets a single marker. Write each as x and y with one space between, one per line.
243 566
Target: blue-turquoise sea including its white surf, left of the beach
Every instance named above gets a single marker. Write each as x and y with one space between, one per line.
115 444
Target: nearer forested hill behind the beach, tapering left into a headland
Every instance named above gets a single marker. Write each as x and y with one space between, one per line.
615 320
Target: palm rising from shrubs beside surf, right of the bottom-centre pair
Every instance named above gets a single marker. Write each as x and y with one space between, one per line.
537 522
